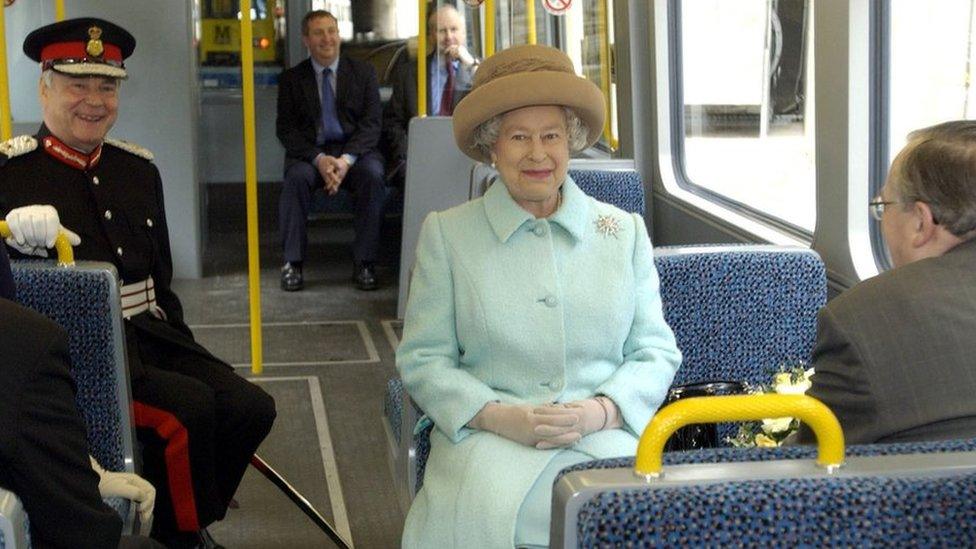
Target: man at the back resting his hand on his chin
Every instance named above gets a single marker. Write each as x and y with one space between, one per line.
450 69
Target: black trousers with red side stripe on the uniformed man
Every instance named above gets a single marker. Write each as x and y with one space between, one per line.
198 423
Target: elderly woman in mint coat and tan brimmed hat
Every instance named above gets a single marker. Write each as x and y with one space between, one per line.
533 337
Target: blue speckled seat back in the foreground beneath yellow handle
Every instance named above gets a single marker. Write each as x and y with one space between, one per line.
885 494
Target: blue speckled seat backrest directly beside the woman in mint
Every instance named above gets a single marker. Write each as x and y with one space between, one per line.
740 312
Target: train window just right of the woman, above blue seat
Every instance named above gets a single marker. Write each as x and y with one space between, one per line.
744 102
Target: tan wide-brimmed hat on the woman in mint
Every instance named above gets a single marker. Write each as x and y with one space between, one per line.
525 76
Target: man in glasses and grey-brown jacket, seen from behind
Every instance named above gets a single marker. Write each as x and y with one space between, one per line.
894 356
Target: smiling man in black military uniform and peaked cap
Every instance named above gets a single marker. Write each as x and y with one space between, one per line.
198 422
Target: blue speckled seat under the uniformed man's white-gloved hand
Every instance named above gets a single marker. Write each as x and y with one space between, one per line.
84 300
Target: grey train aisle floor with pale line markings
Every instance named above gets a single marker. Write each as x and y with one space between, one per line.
328 352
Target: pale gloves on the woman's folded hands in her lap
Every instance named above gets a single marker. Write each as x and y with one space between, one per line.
544 427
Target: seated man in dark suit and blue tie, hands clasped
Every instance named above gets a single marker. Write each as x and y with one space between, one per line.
329 123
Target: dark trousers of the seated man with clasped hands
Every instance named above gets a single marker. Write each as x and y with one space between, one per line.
364 180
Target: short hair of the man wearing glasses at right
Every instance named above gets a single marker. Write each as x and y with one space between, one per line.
938 167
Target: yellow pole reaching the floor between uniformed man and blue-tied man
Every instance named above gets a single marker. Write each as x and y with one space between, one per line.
251 183
